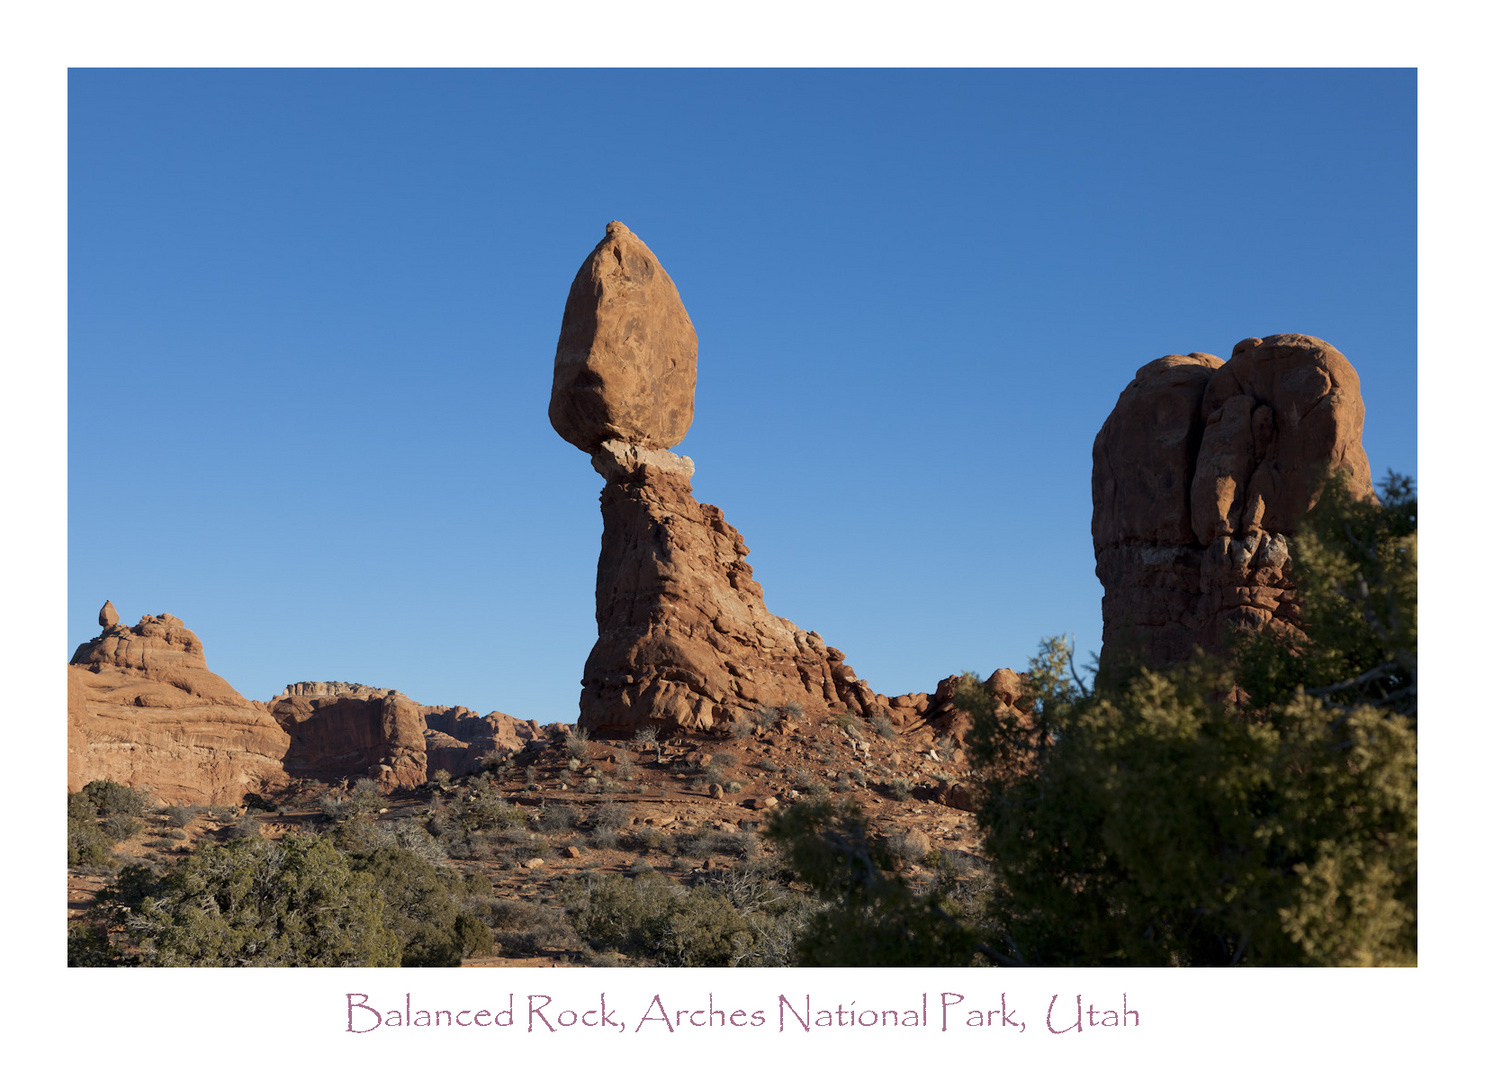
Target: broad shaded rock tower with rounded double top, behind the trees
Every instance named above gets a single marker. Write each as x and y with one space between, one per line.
1201 476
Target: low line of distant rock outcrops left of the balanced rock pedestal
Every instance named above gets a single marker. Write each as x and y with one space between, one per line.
145 709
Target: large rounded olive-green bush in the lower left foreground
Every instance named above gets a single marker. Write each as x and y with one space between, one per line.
252 904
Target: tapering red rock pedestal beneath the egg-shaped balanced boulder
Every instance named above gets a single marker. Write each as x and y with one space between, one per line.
685 640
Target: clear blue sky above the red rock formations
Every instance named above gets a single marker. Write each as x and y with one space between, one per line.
313 319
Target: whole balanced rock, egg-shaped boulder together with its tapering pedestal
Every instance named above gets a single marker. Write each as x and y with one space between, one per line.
684 637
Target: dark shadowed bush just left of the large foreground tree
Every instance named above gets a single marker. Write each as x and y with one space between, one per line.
868 916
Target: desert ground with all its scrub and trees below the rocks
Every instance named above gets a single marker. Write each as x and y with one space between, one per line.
1260 809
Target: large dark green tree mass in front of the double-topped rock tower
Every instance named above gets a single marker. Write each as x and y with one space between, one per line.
1175 822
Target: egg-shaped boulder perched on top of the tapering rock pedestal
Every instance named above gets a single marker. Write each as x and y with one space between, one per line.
626 365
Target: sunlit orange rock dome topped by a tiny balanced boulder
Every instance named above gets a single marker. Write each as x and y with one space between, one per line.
143 709
